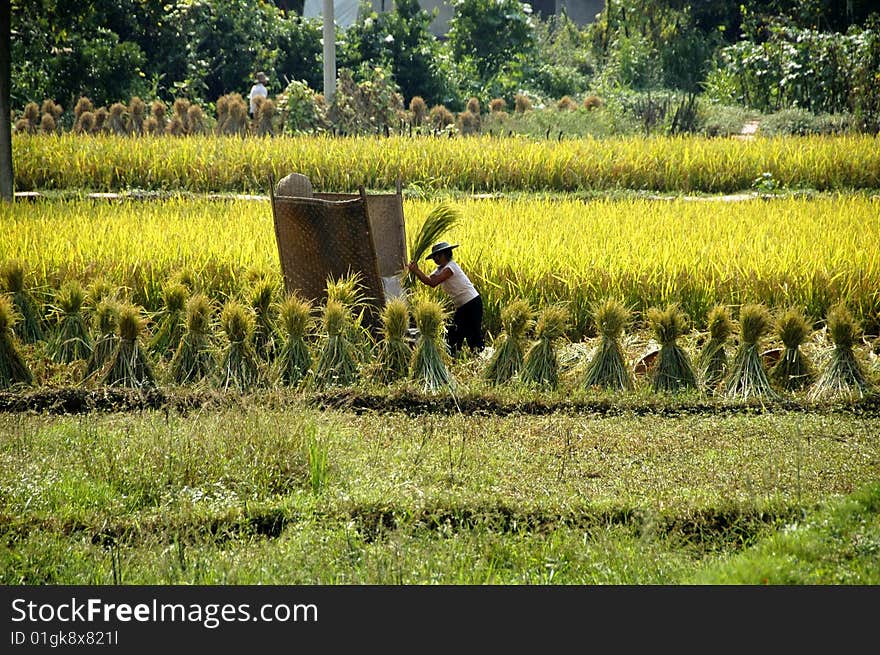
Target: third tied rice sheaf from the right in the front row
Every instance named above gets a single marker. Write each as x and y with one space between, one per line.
747 376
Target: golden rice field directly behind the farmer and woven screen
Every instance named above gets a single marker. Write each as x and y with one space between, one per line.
785 251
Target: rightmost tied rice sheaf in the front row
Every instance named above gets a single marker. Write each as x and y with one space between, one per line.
843 375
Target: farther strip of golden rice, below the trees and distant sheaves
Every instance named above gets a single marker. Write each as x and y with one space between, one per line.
484 163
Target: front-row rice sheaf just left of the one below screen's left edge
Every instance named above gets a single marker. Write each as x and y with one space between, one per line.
239 368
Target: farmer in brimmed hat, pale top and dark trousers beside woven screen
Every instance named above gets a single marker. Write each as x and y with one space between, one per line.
467 322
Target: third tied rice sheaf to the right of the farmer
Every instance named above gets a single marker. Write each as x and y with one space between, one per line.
607 368
